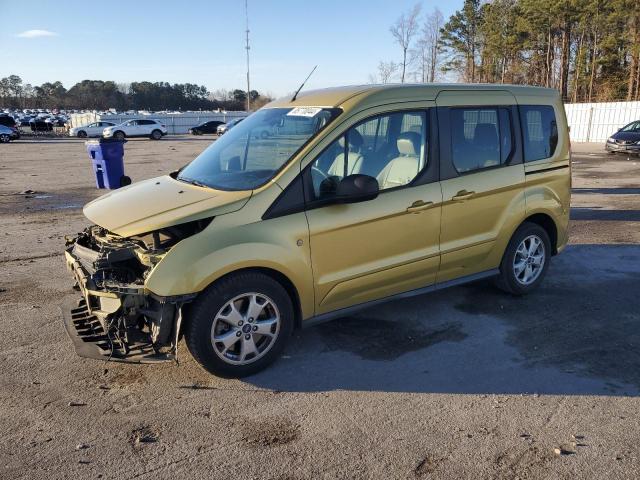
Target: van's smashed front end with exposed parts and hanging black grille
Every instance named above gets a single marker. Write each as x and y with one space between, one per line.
117 318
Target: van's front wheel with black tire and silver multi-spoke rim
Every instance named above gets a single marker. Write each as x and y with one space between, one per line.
205 319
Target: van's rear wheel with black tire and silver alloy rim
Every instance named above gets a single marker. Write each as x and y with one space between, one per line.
515 278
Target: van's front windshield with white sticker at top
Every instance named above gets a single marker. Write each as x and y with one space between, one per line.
253 151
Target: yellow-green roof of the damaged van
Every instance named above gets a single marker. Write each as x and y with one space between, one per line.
336 96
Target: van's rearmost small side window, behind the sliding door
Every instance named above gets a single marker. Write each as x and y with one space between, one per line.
539 131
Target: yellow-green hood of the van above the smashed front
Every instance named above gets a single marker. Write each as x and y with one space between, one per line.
158 203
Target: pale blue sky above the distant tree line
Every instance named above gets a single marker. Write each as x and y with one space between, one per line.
201 42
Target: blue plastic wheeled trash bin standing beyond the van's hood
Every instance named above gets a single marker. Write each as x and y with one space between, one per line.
107 158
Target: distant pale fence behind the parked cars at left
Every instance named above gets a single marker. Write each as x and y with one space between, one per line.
176 123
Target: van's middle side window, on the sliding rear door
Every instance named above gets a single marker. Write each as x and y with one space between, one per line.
480 138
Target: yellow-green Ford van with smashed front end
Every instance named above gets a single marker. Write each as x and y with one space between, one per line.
316 206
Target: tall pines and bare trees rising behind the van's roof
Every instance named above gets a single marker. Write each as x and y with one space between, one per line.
587 49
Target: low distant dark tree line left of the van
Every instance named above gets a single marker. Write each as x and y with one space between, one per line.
102 95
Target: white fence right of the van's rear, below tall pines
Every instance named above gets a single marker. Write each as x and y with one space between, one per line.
595 122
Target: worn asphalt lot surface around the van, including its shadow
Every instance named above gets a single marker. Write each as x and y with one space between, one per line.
462 383
